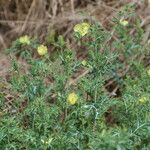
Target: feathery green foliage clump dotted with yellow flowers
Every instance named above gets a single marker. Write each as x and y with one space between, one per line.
50 110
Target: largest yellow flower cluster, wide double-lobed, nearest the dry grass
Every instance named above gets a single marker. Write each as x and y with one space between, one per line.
82 28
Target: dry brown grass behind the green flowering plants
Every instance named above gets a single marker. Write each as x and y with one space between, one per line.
37 17
